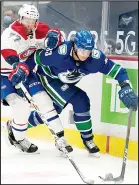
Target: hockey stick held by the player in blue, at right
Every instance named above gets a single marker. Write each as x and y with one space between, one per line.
120 179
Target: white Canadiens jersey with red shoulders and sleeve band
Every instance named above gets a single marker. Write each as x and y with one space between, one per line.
14 42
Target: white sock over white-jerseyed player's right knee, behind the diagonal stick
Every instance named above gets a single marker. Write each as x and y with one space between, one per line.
43 101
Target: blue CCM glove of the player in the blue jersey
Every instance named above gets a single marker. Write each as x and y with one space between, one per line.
128 97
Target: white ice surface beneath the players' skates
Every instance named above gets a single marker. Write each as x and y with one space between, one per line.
49 167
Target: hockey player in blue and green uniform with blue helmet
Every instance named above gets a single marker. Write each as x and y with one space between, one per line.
61 69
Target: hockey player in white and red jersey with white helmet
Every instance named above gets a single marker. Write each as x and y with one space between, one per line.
18 42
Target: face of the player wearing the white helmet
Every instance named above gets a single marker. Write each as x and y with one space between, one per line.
28 23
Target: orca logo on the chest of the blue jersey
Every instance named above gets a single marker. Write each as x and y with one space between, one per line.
71 76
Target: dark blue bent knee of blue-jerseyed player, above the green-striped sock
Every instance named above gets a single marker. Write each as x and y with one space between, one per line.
80 102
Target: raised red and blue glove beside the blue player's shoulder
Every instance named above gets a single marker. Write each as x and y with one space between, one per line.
53 38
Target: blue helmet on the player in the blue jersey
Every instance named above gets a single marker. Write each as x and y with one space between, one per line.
84 40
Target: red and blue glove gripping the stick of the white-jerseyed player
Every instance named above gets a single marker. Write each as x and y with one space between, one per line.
19 74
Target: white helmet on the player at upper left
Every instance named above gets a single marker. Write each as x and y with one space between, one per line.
29 11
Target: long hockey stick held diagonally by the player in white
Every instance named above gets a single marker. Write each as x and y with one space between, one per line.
26 93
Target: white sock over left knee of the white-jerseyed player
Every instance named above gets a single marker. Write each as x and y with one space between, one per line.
20 108
